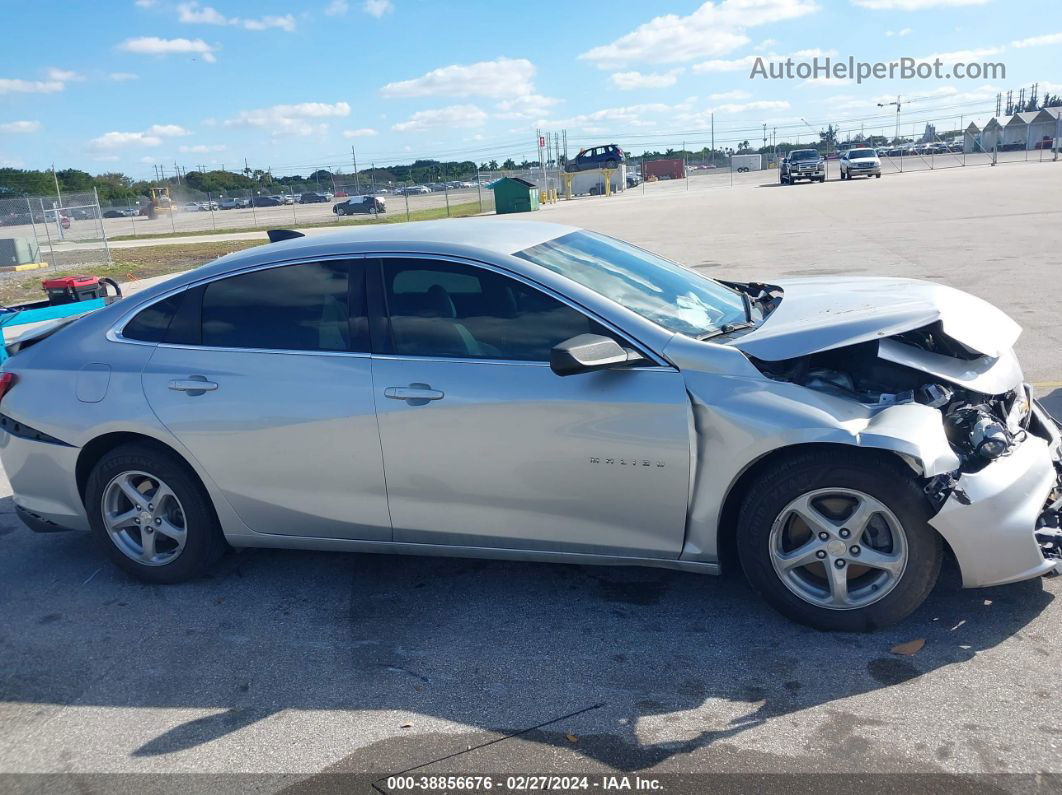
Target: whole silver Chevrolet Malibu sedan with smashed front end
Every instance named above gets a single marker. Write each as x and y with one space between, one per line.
537 392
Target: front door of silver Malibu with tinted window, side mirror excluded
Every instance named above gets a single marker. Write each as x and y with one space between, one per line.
486 446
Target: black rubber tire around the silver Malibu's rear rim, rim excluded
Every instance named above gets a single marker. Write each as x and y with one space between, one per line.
205 543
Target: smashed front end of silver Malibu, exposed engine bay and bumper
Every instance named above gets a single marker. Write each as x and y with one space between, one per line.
1000 508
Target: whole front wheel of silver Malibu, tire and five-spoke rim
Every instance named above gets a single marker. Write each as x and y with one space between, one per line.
840 541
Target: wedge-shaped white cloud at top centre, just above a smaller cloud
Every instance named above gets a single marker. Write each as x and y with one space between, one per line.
499 78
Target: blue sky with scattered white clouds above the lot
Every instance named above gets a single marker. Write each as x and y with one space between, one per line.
124 84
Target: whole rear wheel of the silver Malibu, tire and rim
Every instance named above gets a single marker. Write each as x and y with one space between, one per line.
152 516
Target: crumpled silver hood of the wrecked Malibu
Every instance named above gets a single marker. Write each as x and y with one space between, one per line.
819 314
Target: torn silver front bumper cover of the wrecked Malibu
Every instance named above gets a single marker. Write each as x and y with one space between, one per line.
990 519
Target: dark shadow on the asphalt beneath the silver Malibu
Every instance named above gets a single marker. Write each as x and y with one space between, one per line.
657 663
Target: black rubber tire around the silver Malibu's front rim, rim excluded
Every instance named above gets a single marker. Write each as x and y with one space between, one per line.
878 477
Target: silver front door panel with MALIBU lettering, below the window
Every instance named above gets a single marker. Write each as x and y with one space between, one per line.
513 456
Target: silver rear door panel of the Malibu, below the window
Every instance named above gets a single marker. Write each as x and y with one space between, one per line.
290 439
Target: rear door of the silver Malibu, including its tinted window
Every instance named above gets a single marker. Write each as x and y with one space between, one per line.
266 379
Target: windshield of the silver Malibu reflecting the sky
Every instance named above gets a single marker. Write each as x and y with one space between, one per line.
669 295
